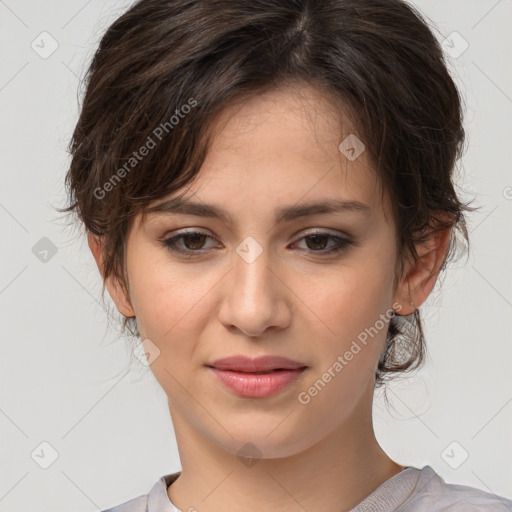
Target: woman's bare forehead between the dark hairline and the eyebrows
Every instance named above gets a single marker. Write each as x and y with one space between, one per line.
280 148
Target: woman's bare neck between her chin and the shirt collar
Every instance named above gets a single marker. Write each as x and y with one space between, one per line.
335 473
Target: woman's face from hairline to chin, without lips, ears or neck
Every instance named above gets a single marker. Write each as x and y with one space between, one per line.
310 288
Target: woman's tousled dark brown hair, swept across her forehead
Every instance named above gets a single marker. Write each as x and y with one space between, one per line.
166 68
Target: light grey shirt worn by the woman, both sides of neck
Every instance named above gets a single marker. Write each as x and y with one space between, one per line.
411 490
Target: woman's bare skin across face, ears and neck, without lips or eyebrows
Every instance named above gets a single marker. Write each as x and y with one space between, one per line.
273 150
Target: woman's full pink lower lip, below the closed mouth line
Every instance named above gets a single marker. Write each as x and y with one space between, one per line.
259 385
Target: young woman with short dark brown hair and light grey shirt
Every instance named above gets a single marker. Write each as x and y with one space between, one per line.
267 191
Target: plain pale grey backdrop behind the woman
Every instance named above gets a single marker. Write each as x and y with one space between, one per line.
65 377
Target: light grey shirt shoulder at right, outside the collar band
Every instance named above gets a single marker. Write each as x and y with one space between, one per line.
433 494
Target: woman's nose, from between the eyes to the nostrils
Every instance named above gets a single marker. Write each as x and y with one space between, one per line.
255 297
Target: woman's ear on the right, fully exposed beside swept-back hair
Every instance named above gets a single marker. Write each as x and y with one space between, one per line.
419 279
